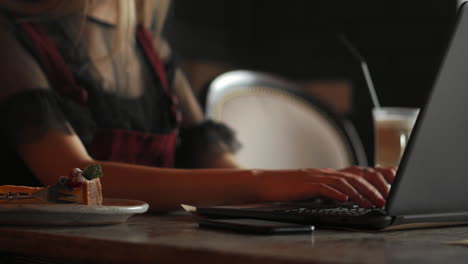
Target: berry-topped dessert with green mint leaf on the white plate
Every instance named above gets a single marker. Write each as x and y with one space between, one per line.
81 187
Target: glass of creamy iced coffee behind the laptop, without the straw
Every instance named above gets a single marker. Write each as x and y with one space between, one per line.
393 127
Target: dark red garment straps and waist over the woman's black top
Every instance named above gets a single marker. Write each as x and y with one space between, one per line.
112 144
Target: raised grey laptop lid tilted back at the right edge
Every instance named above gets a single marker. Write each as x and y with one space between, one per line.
433 174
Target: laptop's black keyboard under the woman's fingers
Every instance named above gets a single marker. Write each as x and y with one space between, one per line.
339 211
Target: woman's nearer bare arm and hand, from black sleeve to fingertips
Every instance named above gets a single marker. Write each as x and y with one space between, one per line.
56 153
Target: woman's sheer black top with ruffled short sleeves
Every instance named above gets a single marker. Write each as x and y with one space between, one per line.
29 110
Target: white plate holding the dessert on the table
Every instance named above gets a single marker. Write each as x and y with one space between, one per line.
112 211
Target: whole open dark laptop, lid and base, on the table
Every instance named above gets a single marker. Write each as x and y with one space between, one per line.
431 185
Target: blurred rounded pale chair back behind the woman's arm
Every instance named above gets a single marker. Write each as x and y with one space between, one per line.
279 126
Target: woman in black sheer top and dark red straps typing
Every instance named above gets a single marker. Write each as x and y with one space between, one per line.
77 89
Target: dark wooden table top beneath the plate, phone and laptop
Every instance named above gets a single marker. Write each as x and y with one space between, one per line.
177 239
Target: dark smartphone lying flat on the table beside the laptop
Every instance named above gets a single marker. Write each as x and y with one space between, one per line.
255 226
